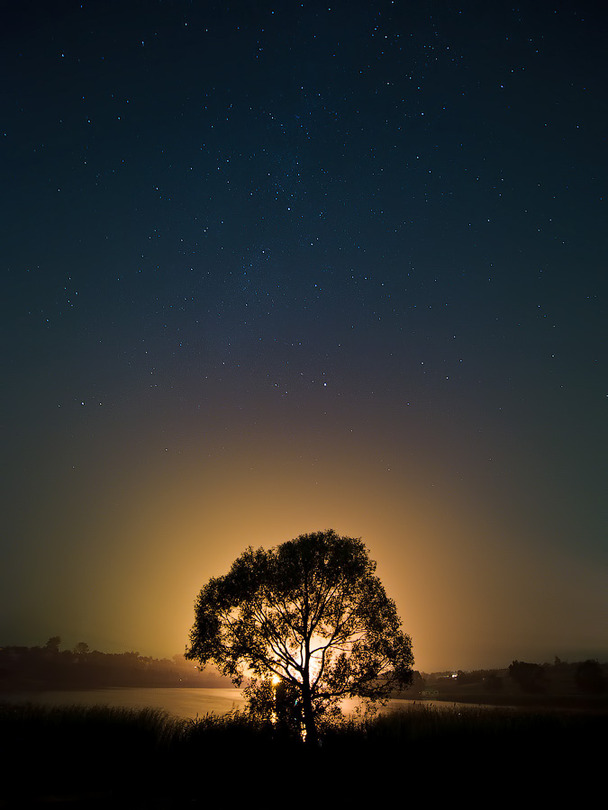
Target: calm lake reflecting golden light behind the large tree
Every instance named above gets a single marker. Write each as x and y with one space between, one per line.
186 703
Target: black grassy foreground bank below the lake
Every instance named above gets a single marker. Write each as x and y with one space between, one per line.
101 757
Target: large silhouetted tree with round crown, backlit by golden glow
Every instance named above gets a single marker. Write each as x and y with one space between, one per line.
308 615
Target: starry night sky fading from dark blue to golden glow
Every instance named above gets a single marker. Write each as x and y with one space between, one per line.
271 268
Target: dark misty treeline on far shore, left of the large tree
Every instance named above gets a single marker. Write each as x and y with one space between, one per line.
49 667
